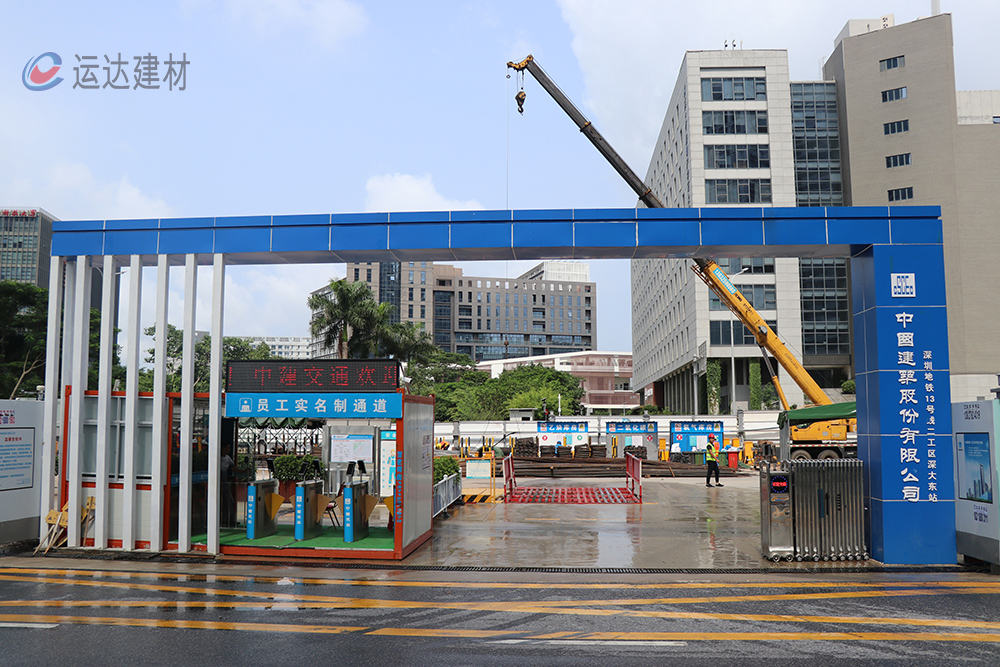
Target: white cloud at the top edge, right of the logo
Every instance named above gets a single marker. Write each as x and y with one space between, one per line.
329 22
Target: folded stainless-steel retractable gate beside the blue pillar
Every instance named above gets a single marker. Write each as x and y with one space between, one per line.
827 511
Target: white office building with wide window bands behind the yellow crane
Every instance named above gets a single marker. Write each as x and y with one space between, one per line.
726 140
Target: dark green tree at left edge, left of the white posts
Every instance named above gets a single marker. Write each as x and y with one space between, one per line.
23 310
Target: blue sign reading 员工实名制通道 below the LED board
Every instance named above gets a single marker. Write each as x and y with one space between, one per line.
315 405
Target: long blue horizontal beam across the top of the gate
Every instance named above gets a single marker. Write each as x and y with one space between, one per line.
506 235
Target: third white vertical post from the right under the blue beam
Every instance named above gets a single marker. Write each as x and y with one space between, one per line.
162 426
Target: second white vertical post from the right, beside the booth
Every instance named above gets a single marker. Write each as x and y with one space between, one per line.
187 404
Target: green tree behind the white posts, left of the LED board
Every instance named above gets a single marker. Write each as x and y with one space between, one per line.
233 349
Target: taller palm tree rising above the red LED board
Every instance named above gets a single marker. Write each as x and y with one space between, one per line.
344 317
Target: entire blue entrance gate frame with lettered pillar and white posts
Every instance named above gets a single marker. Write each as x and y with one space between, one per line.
898 301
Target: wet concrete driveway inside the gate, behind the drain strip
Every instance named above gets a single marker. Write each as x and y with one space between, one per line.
680 524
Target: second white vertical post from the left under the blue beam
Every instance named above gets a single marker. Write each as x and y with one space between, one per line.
78 379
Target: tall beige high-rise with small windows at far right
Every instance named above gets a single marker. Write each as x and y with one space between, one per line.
910 139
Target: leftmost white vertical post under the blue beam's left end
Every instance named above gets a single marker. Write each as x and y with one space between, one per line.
53 389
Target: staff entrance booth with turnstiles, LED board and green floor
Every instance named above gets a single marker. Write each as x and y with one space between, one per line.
377 448
